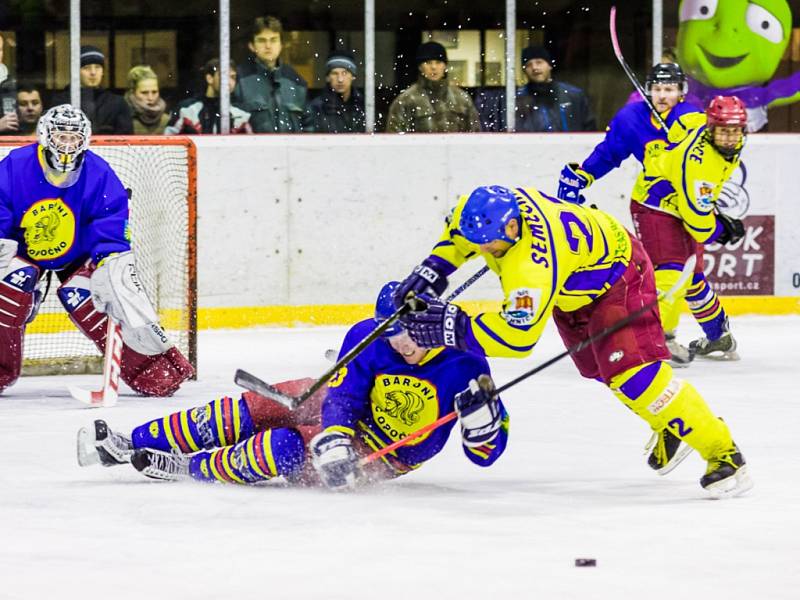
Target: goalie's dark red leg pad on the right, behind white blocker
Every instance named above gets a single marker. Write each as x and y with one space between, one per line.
150 375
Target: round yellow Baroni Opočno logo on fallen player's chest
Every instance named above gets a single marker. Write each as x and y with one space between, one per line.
401 404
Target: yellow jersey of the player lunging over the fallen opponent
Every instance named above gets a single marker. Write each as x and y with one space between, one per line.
567 256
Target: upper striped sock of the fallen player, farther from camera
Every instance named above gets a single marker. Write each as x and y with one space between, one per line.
221 422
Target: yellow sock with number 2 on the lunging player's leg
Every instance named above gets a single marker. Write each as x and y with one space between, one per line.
665 402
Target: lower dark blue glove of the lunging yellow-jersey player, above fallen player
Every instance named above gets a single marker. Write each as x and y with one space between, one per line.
440 324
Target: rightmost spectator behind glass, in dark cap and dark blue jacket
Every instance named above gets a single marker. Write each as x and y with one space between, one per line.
544 104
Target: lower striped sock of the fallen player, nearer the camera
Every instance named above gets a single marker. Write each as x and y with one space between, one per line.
261 457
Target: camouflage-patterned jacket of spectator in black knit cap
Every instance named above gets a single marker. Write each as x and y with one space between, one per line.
433 106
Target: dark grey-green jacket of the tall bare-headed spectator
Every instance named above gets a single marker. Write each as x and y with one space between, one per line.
275 98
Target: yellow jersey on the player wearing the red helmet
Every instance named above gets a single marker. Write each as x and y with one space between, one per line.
686 178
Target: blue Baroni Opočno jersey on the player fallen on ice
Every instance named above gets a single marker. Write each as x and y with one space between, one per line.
380 399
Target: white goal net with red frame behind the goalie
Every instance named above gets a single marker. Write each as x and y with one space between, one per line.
160 174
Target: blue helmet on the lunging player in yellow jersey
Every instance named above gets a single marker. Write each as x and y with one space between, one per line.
486 213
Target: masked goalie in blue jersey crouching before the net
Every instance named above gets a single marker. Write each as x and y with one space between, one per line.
63 209
